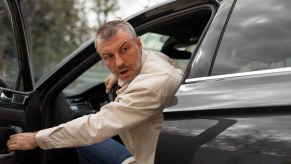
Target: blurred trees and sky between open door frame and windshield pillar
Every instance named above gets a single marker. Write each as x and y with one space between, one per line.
58 27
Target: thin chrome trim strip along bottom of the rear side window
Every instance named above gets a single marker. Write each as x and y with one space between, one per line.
217 77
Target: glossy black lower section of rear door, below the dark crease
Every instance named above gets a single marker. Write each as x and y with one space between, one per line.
226 137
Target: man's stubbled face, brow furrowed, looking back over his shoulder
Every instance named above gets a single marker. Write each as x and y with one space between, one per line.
122 55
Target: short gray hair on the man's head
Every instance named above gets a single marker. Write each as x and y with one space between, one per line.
109 29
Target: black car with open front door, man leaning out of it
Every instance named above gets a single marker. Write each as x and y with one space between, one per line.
233 105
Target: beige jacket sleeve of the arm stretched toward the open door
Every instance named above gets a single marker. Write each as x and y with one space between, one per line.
130 110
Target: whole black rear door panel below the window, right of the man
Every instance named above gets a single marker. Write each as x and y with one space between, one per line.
234 119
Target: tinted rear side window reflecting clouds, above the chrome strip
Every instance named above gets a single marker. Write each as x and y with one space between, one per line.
257 37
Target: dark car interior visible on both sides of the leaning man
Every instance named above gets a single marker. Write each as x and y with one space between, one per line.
183 31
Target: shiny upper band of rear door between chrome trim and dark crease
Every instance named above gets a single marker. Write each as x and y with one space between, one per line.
248 91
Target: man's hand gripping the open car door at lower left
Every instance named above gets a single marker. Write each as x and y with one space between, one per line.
22 141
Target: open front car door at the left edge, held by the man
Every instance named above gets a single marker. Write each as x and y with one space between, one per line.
16 84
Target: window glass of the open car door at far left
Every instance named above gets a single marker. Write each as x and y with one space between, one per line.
8 52
